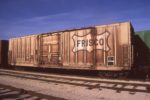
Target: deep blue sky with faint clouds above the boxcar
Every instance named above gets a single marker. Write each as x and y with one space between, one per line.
25 17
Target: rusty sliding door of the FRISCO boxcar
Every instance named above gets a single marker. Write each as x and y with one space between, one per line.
49 49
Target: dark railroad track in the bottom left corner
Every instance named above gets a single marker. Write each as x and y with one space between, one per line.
7 92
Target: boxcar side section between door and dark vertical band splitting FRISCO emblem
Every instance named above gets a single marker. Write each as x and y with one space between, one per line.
73 56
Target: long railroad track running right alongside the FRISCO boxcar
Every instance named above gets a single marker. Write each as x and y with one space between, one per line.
90 83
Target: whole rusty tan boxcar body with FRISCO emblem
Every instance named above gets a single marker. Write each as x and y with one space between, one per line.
103 47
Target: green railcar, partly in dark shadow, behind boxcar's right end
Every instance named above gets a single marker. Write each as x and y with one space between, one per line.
142 51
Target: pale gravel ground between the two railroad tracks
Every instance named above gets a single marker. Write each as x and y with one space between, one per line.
73 92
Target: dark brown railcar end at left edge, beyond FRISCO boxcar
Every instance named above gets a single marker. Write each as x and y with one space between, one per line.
3 53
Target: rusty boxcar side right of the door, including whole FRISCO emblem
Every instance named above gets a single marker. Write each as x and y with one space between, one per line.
104 47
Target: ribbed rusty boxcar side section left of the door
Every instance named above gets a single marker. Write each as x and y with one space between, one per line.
22 51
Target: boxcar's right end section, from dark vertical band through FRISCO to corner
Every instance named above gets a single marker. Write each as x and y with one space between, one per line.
117 47
